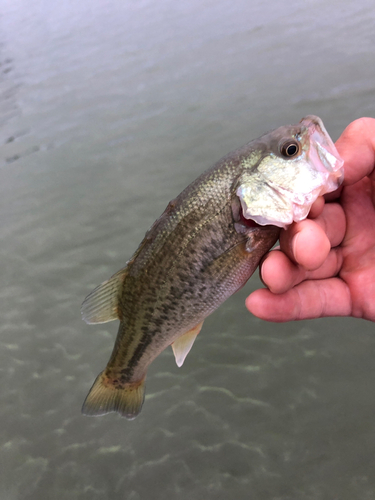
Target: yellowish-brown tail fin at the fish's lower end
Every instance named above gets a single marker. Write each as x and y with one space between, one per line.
105 397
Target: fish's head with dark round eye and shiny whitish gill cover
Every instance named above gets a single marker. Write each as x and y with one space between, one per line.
285 172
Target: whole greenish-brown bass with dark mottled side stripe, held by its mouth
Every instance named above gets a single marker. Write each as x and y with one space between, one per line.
201 250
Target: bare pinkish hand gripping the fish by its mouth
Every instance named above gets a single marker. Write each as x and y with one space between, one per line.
326 264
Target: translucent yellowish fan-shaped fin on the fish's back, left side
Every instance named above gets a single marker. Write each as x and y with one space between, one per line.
101 305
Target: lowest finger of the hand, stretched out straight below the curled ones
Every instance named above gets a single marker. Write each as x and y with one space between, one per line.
310 299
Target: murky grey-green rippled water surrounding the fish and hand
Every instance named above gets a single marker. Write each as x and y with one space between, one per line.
108 110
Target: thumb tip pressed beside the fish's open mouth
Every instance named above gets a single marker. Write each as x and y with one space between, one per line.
356 146
